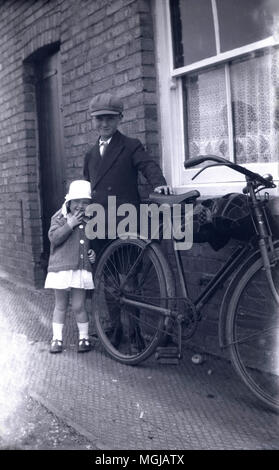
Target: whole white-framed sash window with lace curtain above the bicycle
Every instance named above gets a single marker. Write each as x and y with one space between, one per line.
218 73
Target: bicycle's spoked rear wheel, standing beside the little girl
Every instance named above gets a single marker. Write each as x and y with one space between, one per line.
129 333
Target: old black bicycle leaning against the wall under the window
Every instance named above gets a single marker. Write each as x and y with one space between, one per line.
136 307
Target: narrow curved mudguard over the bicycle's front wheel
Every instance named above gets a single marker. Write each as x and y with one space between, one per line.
248 261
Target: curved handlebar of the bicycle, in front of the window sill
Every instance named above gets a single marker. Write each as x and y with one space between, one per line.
222 161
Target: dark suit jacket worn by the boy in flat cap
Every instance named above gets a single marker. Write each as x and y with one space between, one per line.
116 173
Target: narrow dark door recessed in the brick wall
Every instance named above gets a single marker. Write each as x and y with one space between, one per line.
50 133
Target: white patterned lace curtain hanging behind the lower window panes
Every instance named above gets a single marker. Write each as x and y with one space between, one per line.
254 93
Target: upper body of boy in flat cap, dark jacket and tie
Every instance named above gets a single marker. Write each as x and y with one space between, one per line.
113 164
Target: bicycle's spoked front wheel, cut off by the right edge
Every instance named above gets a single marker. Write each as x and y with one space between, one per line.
252 331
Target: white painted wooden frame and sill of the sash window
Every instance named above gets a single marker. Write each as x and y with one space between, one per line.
172 113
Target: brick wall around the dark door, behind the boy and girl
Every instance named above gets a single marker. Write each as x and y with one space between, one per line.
104 45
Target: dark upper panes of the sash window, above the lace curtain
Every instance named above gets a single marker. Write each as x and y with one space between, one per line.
212 27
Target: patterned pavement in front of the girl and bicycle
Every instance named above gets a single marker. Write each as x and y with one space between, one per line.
148 407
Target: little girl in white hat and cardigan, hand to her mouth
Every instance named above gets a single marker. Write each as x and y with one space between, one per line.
70 260
